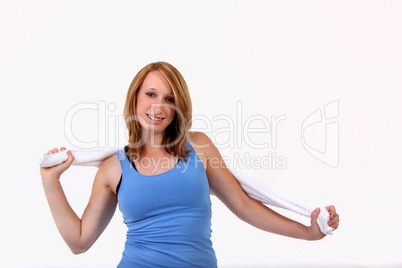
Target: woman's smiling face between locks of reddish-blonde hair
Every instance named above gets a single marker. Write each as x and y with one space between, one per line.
155 103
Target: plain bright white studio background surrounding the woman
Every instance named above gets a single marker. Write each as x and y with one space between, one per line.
277 58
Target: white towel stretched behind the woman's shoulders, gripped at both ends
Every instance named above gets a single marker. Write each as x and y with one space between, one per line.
256 190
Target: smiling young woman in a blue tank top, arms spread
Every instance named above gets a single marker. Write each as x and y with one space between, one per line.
161 182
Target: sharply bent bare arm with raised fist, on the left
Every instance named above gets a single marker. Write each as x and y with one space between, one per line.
80 234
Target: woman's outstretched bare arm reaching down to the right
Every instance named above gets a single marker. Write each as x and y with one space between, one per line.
228 190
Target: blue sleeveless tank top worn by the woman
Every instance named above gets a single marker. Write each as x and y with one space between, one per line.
168 216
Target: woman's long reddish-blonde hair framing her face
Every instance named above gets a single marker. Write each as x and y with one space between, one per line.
176 134
